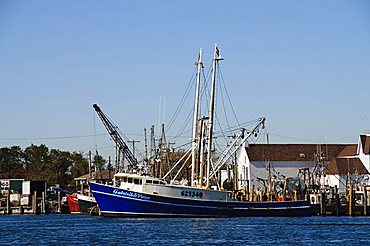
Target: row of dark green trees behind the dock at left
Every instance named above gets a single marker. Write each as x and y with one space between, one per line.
38 162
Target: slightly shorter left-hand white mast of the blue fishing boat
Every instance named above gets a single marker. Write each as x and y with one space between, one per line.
195 121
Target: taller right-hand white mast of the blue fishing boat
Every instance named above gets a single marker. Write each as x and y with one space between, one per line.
216 58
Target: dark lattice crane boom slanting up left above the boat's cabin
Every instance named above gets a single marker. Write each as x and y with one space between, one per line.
117 138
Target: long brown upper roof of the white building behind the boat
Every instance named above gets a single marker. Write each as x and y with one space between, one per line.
296 152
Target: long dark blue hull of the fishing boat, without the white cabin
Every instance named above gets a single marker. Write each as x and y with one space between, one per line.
114 201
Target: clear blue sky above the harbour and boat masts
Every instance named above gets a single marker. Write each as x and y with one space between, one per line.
304 65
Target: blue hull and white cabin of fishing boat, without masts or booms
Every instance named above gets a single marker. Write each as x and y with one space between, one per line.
136 195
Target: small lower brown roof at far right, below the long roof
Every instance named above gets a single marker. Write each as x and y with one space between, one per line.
345 165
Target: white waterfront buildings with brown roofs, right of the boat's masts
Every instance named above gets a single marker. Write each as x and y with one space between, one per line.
289 160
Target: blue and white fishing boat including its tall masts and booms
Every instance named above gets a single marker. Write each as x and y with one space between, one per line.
136 194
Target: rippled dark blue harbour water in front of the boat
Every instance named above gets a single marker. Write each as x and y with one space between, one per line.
93 230
